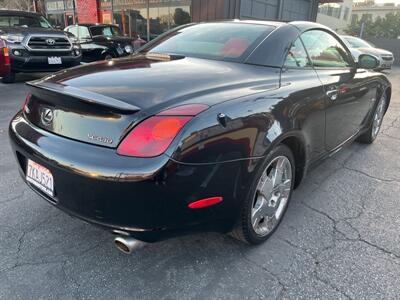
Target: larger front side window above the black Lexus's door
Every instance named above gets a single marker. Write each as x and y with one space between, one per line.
325 50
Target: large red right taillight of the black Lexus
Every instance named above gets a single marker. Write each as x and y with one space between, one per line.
153 136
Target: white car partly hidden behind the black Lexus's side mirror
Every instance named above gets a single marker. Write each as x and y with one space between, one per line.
358 46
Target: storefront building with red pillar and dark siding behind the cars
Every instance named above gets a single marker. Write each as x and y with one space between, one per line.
150 18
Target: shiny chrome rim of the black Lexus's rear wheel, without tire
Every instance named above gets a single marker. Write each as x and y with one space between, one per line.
272 195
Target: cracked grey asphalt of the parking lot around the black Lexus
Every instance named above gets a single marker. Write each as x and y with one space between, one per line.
339 239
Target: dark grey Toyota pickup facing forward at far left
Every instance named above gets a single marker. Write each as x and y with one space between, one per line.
33 45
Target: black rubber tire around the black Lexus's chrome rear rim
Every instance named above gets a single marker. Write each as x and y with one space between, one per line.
244 230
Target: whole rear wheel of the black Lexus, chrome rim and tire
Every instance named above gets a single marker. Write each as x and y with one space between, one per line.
268 198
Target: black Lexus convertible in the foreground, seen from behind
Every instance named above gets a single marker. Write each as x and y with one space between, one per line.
209 128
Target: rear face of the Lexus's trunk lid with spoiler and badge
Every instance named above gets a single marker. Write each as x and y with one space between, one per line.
79 114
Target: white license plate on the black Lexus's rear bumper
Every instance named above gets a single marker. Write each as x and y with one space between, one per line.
40 177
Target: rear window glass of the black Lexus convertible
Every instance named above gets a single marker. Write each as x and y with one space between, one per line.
220 41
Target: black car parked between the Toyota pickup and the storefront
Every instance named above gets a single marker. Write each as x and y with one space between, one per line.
103 41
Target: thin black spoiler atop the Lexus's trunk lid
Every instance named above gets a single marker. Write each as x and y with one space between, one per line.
84 95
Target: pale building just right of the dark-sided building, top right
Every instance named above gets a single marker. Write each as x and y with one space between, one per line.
337 15
